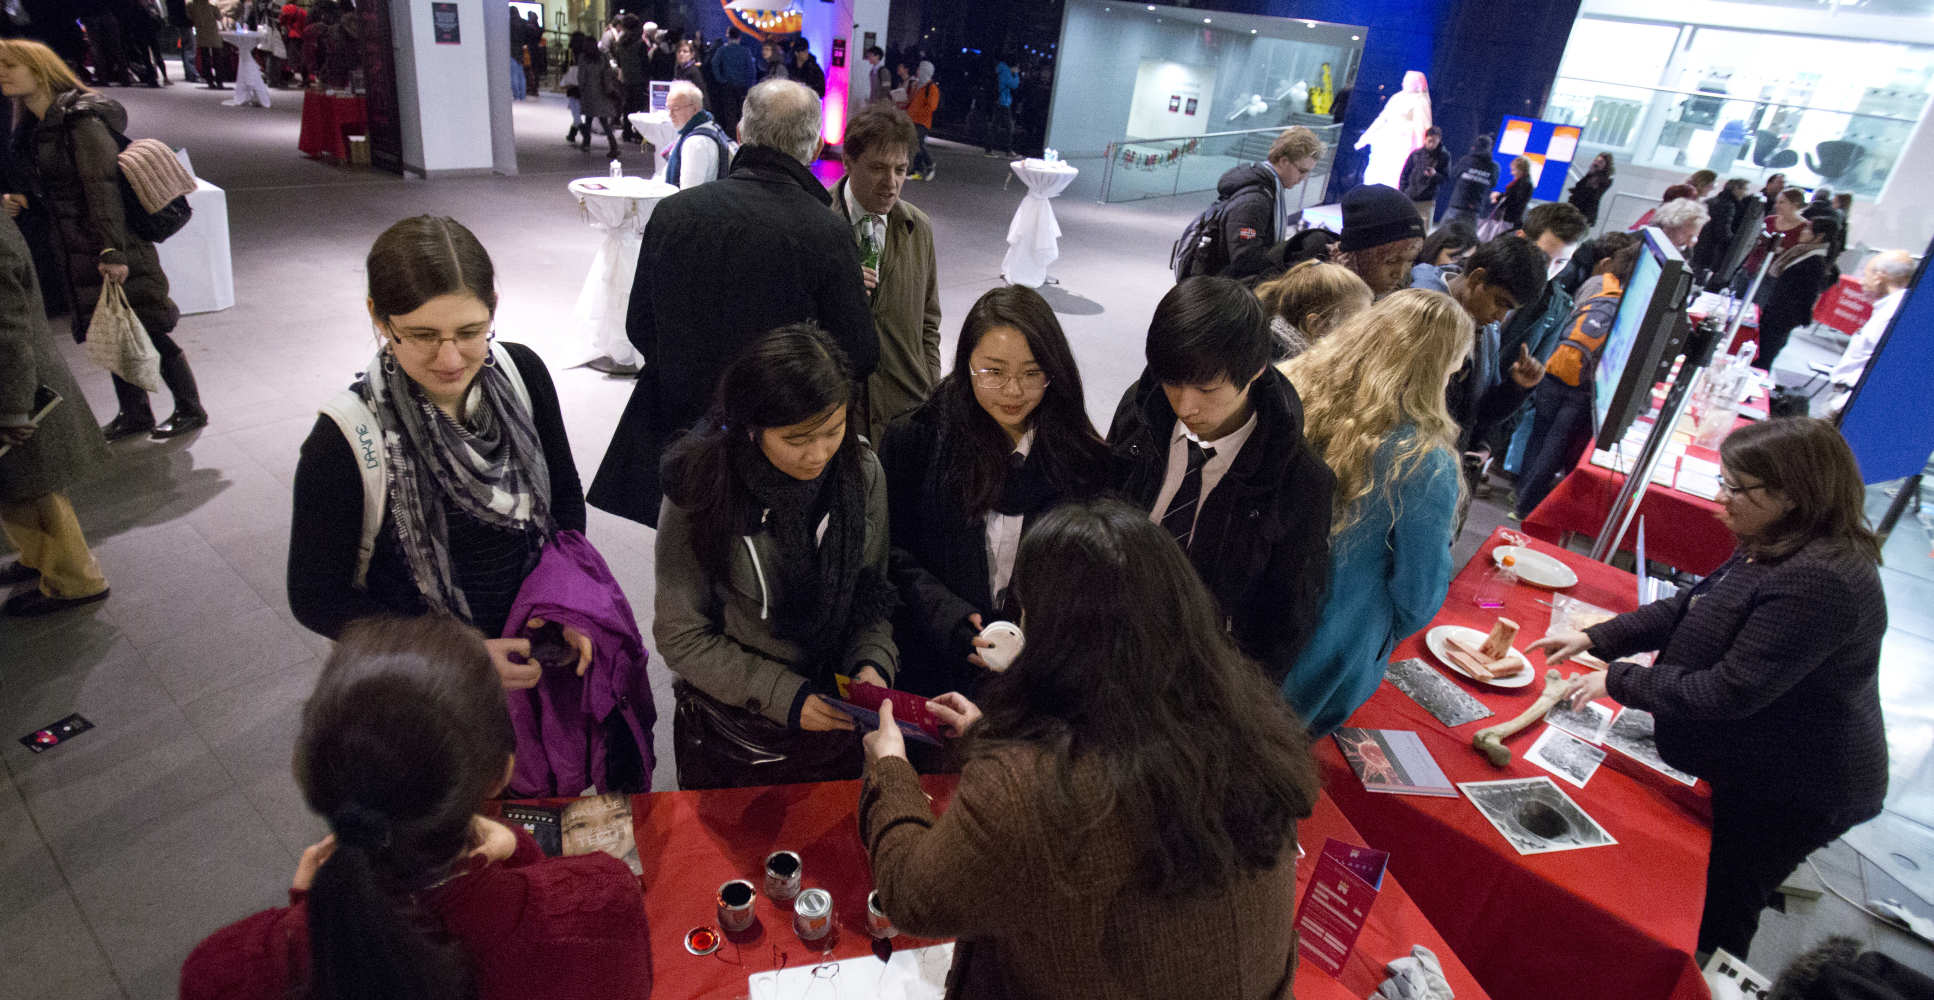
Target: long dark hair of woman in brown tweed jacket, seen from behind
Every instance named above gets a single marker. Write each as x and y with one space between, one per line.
1128 670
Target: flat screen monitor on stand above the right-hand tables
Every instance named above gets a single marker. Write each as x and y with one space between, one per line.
1651 318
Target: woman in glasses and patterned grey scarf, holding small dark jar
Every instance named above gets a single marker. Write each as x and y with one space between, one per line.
440 477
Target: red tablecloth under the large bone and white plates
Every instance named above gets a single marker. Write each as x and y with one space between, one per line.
1614 924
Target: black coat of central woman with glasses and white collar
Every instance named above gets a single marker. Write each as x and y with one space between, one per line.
941 554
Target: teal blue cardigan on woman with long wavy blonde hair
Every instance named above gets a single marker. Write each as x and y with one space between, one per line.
1390 574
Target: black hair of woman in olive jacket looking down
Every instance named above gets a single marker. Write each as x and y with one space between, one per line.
790 376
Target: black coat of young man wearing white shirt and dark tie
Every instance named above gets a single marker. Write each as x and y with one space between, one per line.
1262 537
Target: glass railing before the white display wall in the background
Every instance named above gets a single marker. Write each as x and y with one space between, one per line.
1175 165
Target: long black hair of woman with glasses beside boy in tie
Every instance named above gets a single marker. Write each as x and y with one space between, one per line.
1067 448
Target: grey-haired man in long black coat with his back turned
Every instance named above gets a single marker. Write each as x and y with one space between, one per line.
720 266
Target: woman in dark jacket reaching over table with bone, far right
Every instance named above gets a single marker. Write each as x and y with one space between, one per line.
1769 672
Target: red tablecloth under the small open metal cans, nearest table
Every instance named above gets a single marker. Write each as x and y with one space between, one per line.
695 840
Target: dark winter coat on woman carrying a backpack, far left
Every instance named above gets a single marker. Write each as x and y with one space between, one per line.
69 162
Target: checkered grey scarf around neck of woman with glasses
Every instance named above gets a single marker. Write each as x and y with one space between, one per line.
490 467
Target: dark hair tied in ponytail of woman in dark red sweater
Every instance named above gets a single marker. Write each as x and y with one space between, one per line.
401 742
